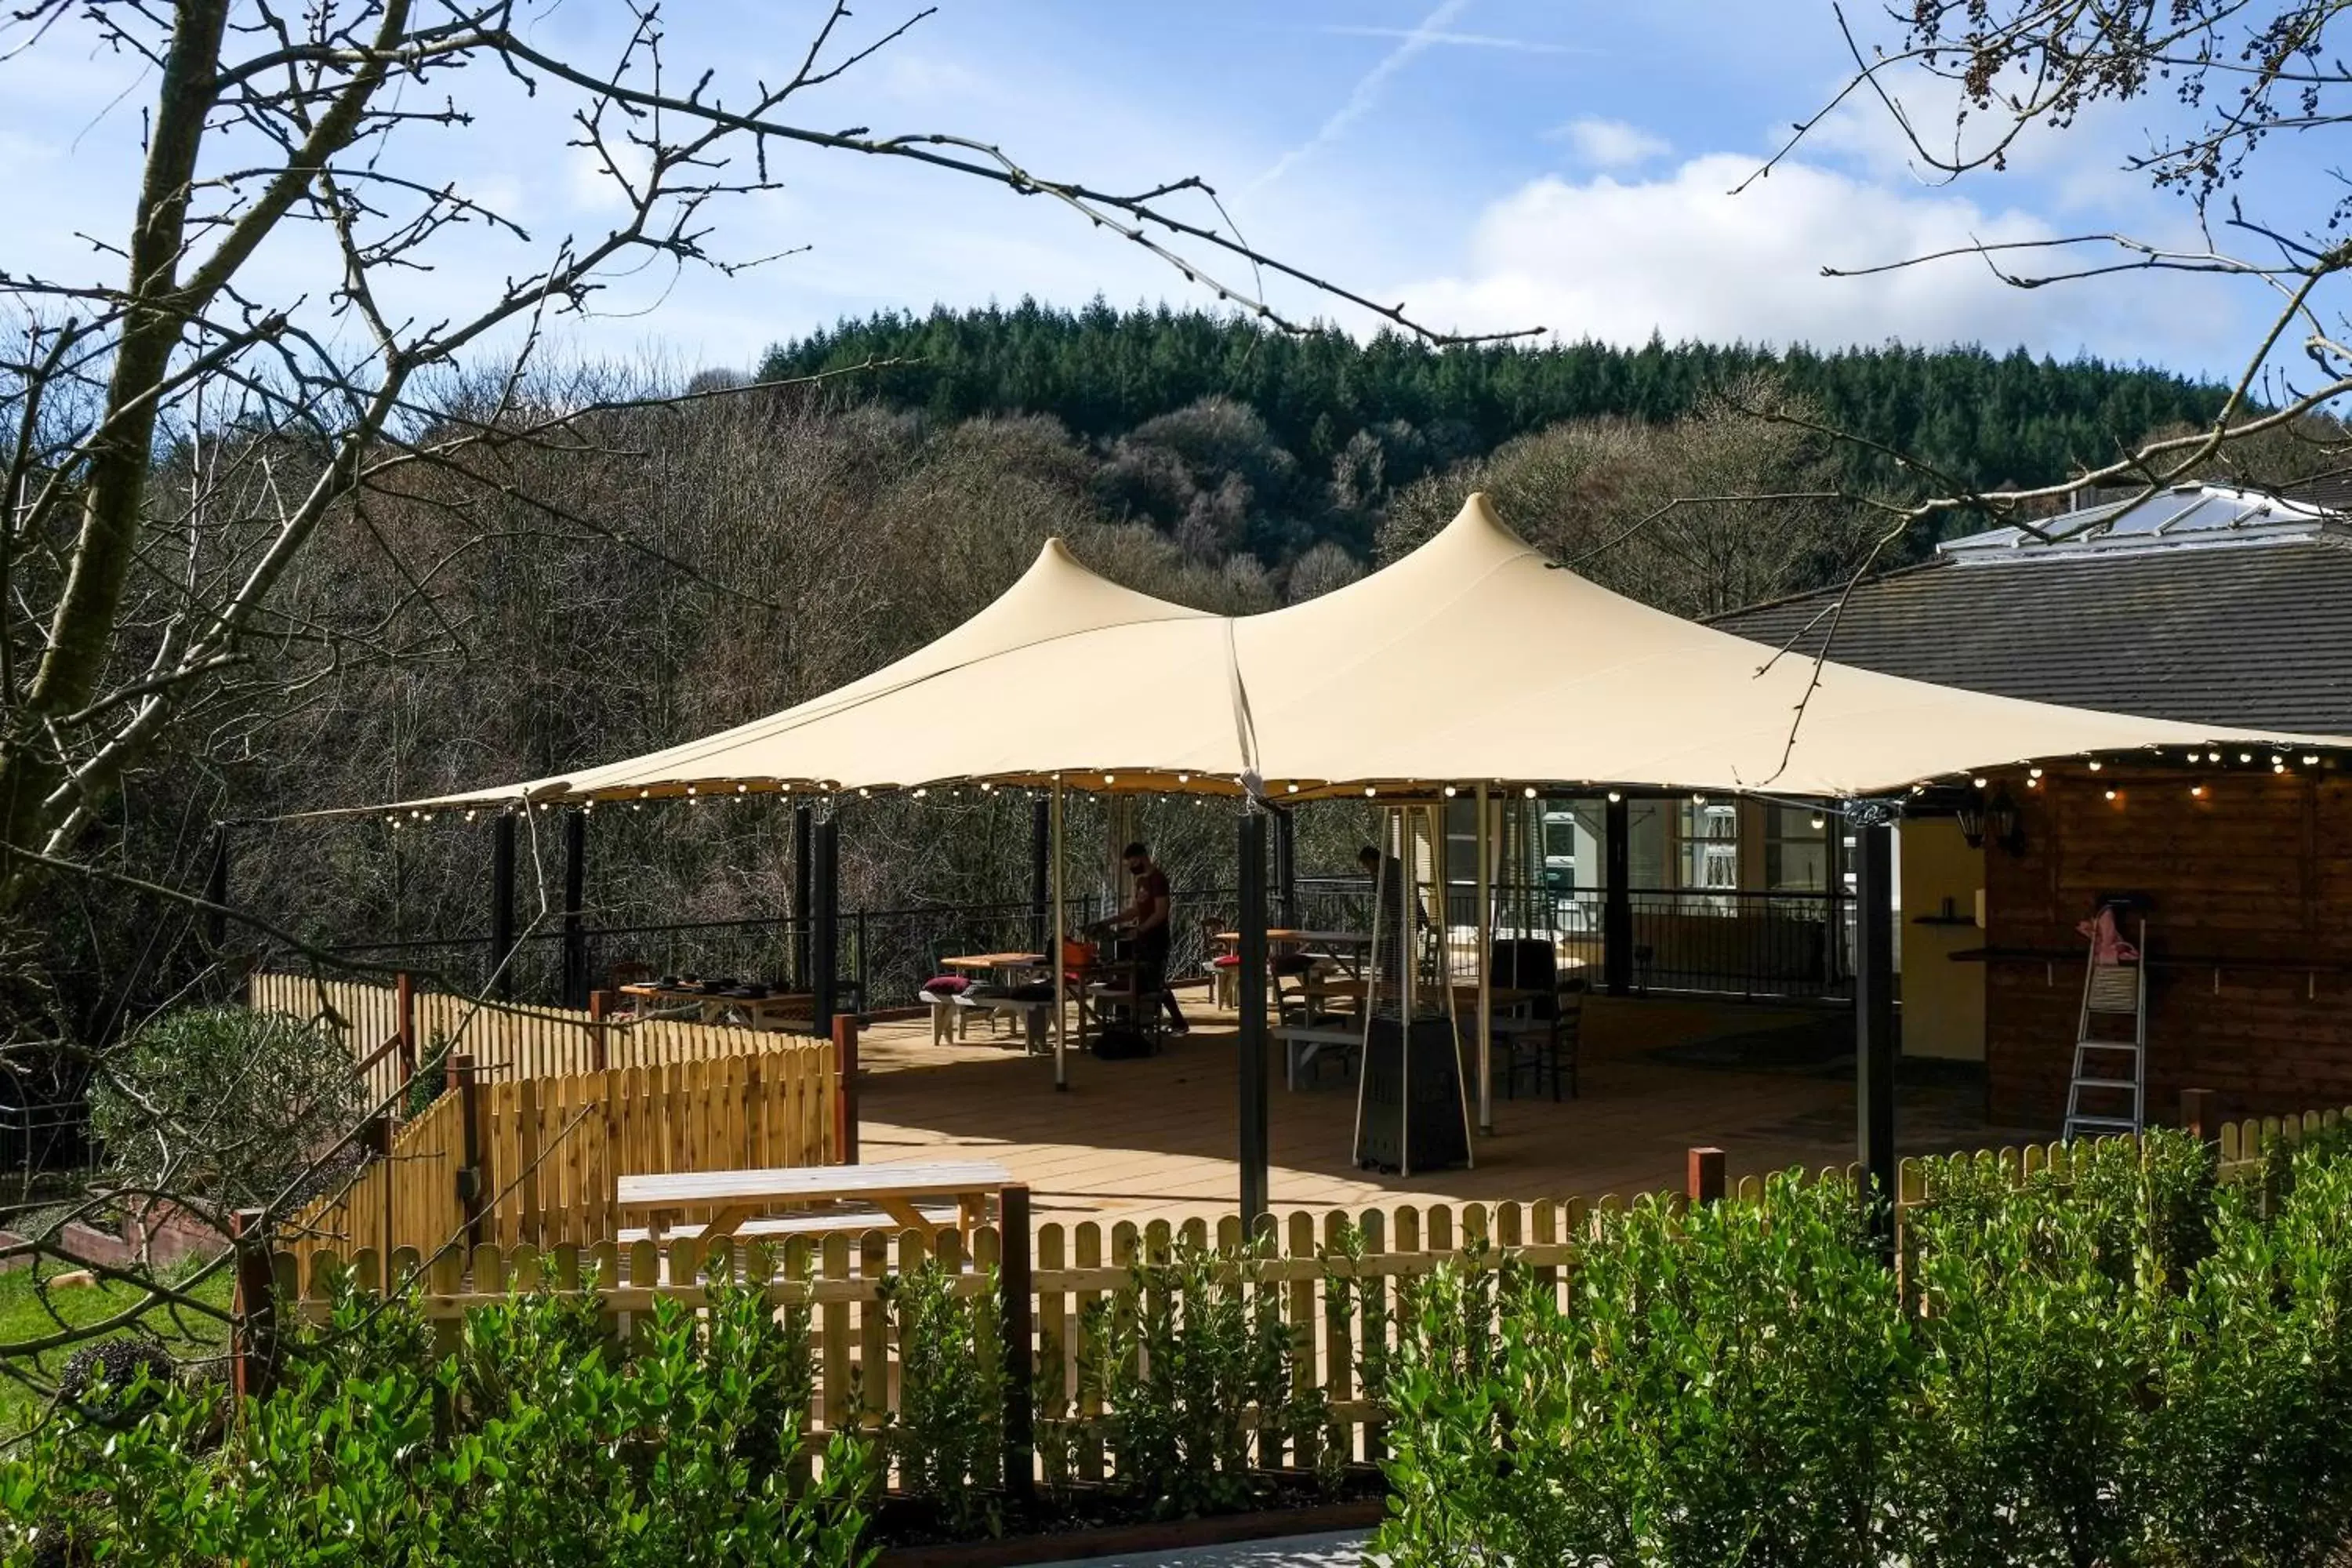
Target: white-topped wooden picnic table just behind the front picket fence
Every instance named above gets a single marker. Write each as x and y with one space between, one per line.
740 1195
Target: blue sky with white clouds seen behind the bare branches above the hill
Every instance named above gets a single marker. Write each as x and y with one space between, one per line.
1495 163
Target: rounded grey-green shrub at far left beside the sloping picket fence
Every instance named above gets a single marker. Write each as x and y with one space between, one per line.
225 1104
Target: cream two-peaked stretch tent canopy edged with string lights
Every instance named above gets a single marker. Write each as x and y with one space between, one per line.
1471 659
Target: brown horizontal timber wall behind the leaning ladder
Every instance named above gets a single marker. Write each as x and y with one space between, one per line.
2250 932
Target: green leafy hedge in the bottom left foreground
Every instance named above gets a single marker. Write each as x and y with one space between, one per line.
530 1445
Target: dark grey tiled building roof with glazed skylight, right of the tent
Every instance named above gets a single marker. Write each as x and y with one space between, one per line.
2200 603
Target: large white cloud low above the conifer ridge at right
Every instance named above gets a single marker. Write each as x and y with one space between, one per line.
1683 257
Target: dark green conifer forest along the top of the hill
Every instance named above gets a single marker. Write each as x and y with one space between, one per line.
1332 403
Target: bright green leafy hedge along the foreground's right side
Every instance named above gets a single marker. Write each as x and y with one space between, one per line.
2125 1365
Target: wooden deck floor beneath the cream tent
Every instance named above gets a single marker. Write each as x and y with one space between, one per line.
1156 1139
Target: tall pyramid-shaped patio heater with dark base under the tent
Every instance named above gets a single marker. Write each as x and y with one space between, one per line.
1410 1106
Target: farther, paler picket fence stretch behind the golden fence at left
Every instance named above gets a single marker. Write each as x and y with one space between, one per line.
394 1031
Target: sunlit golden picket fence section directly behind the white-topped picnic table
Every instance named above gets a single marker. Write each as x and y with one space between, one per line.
537 1160
